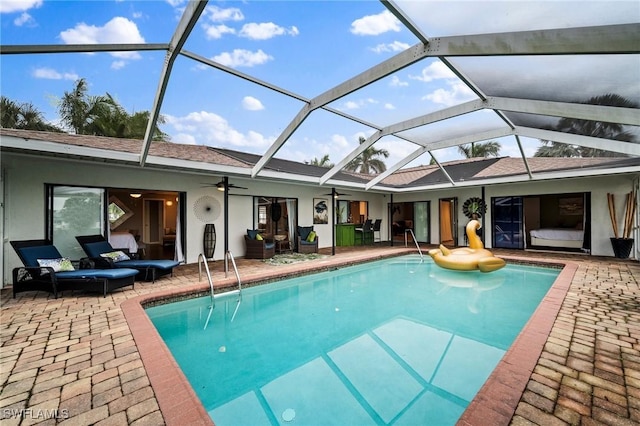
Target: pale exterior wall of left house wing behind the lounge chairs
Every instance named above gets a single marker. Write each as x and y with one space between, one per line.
23 199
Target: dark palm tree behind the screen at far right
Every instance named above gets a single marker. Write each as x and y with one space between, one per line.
598 129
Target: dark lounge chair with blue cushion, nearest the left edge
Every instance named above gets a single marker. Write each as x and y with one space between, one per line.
46 270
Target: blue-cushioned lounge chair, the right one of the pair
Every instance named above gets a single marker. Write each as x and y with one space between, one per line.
105 256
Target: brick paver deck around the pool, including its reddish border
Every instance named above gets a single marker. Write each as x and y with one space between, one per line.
81 359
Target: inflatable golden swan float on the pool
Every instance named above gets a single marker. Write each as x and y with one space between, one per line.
474 257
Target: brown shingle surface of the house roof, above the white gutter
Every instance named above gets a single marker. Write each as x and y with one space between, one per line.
421 176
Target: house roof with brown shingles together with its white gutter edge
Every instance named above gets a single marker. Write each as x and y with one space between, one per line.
199 158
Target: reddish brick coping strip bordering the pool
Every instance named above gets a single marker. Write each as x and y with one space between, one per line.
495 403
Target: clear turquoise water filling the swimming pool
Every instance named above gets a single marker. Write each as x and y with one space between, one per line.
389 342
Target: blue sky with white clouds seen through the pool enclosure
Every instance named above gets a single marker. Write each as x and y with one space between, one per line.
305 47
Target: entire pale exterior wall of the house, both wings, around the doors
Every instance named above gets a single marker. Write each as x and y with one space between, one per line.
23 201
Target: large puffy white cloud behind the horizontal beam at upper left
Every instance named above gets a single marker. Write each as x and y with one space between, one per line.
118 30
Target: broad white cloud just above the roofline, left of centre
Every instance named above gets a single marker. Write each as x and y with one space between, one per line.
206 128
